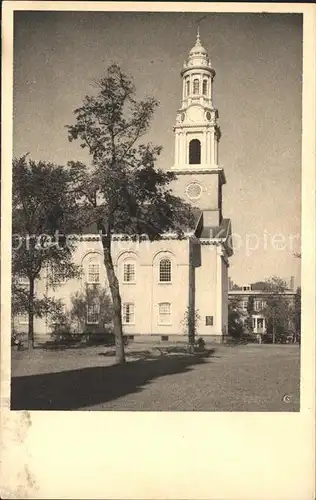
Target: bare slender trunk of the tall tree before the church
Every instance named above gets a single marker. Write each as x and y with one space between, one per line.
116 300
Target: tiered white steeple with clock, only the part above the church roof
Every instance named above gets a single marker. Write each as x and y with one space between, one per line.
197 134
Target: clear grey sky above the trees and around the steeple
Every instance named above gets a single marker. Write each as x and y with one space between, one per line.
257 90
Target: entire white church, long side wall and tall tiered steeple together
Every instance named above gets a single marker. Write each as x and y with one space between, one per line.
161 281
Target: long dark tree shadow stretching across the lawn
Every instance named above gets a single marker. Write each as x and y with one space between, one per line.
76 389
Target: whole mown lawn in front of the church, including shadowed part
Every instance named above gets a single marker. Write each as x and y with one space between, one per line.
239 378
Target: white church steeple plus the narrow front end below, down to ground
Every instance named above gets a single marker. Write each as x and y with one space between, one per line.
199 181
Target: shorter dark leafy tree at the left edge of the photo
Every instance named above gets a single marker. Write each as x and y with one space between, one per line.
41 205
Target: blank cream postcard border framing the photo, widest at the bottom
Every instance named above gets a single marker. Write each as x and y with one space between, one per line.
163 455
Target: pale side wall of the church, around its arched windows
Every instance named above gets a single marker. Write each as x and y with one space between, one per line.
146 293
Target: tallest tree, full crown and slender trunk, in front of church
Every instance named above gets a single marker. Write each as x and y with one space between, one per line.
124 192
